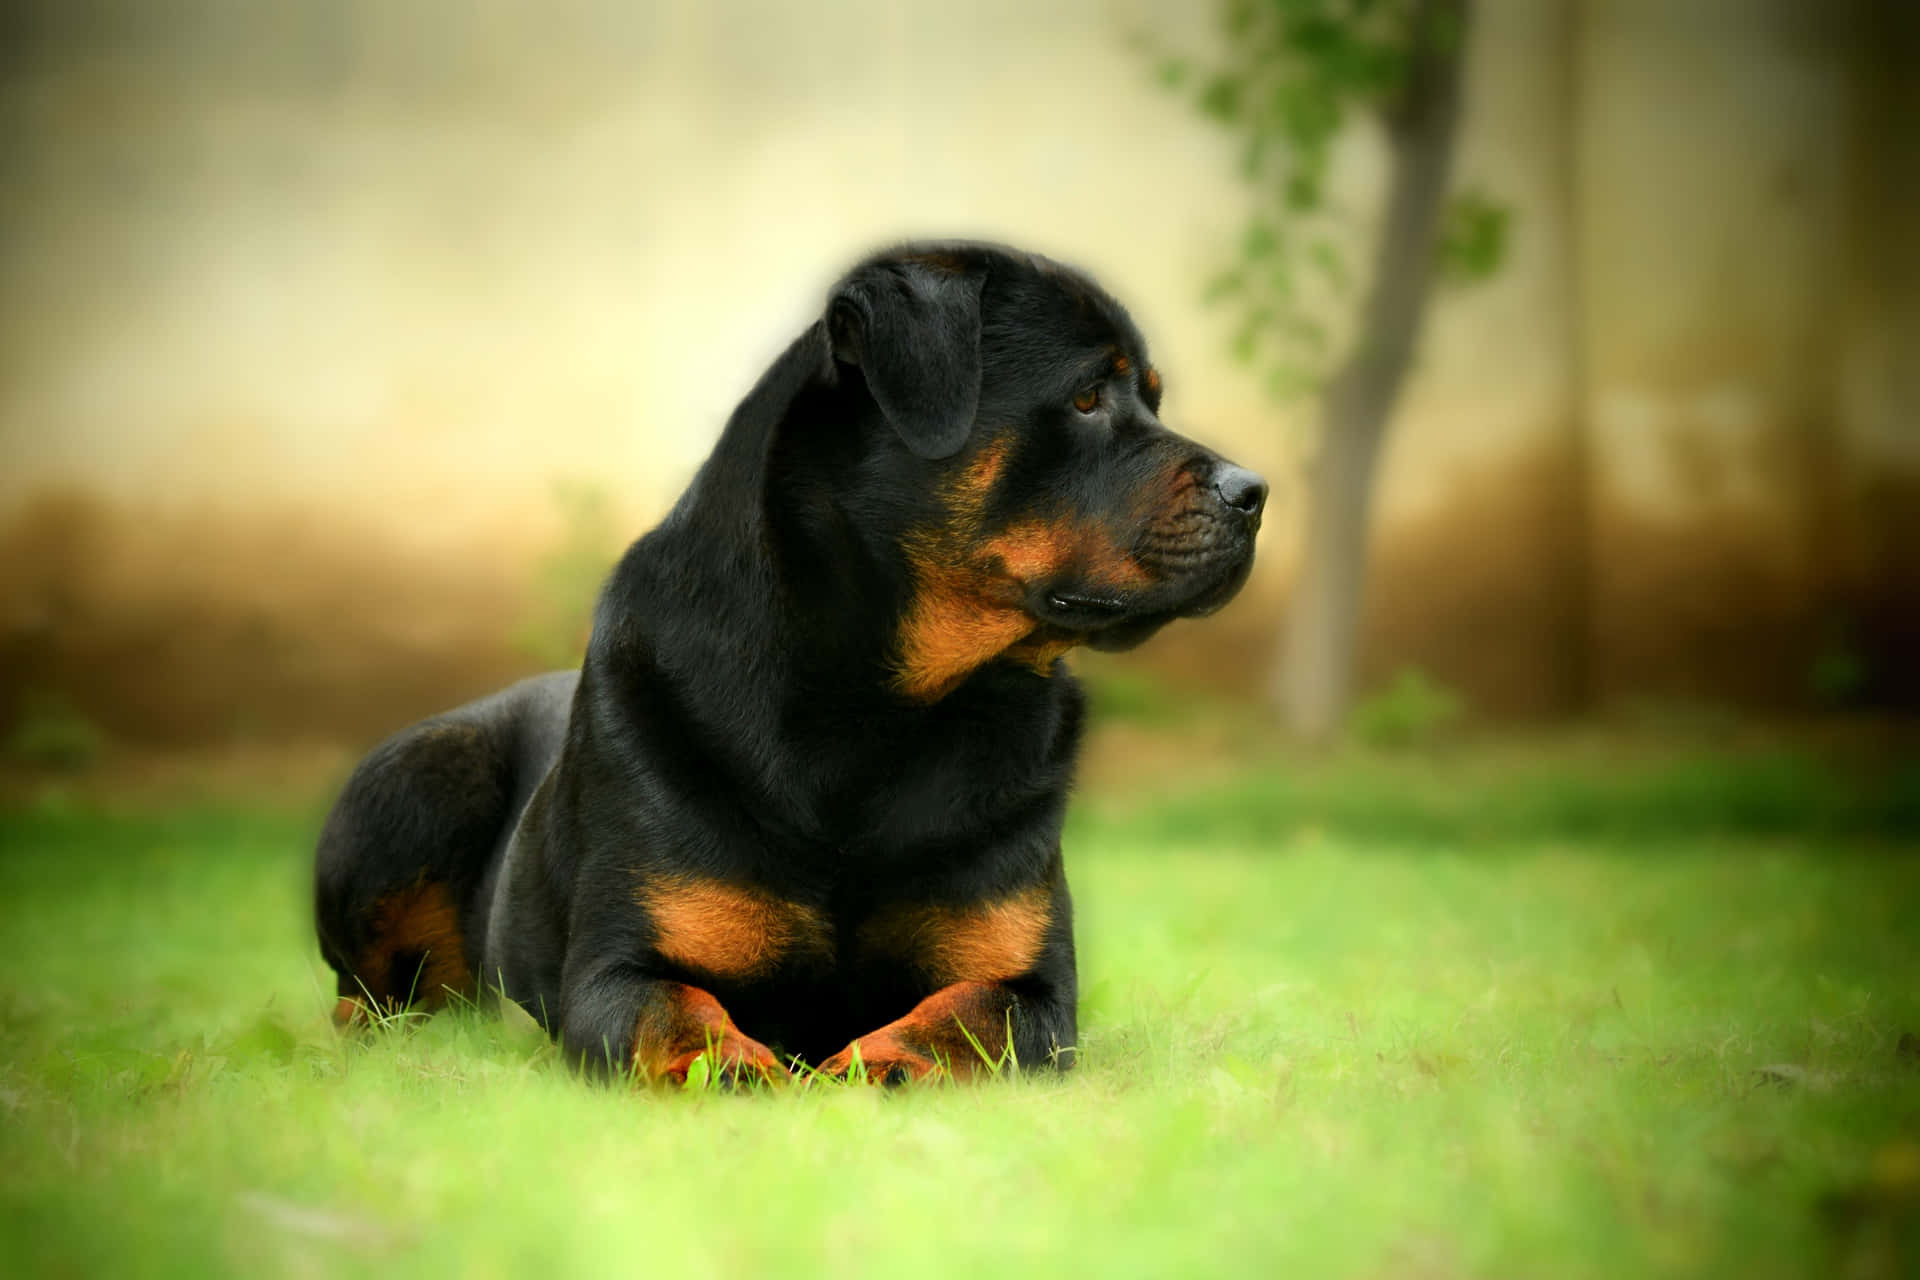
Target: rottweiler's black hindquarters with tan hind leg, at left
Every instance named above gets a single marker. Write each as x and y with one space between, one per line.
410 851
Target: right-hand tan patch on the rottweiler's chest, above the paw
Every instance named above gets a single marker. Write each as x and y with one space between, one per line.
984 943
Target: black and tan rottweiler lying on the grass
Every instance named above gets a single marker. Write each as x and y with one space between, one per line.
804 801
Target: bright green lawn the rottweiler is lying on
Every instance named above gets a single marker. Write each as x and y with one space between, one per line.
1401 1018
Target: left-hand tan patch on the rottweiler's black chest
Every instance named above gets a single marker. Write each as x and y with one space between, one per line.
729 932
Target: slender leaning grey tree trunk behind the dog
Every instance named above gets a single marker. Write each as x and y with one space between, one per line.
1318 650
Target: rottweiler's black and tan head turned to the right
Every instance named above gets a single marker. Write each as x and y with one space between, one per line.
1019 465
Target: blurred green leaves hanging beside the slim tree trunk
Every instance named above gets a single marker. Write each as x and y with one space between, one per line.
1293 76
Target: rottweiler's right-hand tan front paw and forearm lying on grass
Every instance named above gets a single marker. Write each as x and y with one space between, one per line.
967 1030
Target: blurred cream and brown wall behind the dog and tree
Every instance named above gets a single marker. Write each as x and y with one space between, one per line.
345 344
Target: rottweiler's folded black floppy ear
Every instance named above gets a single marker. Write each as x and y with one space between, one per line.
915 333
